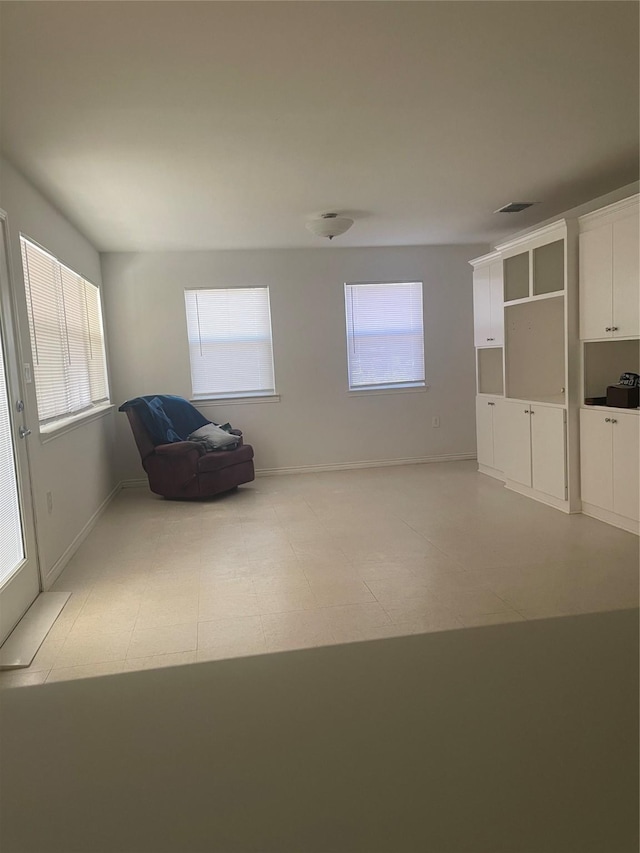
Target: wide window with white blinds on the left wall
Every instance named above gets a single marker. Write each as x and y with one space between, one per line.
67 338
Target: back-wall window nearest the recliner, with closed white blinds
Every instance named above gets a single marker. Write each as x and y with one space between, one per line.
230 342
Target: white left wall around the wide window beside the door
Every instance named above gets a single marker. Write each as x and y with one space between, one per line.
77 467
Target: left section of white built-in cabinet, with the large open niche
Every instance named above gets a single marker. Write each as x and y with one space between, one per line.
527 432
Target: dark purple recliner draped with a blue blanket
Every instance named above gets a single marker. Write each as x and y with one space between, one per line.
183 469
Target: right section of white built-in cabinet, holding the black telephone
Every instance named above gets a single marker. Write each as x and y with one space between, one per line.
610 332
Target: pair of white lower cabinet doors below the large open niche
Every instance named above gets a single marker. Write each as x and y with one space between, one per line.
534 447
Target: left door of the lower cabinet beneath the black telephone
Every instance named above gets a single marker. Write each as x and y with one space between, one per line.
596 459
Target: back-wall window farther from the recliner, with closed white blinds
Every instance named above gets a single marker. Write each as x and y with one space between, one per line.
385 338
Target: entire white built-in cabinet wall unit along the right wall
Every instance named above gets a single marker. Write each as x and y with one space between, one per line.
557 320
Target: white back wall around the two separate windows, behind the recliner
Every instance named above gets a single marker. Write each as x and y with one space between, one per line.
316 422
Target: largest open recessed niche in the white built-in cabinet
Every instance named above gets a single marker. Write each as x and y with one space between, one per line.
535 350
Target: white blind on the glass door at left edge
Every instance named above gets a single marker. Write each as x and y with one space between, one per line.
11 545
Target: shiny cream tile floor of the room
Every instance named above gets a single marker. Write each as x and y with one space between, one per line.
316 559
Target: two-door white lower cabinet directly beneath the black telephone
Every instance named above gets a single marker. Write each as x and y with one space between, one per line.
610 461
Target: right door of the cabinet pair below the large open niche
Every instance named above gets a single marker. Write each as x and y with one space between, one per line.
548 450
